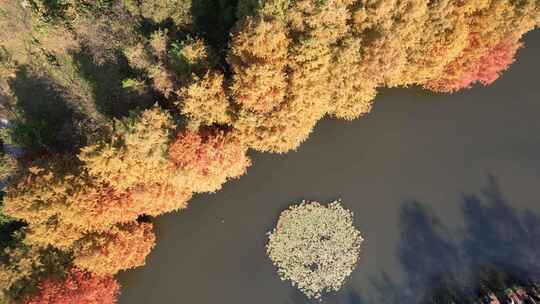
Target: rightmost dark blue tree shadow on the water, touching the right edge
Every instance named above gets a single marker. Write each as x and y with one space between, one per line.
501 235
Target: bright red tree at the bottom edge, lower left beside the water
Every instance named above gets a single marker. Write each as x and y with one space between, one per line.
79 287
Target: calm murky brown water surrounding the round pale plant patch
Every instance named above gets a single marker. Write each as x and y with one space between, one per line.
439 184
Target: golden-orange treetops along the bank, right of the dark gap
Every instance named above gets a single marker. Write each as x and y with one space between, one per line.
328 57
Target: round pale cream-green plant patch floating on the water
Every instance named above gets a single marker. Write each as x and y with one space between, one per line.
315 246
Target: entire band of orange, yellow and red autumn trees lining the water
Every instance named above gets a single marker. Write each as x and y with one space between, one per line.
289 64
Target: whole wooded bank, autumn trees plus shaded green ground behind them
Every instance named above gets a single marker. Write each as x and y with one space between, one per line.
123 110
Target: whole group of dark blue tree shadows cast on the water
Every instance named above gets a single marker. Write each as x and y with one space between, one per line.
498 248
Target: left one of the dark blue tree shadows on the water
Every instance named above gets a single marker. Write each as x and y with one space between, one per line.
431 257
